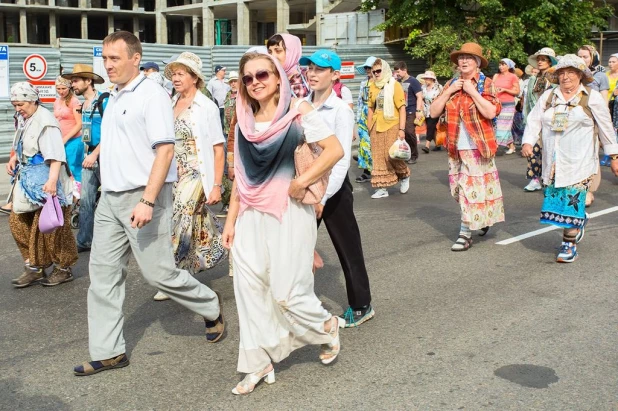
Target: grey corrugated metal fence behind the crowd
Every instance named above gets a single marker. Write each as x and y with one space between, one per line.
73 51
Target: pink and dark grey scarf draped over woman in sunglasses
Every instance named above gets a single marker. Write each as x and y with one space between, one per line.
265 161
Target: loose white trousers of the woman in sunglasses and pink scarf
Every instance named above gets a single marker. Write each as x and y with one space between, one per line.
278 310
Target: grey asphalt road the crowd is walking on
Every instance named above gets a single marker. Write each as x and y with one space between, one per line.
499 327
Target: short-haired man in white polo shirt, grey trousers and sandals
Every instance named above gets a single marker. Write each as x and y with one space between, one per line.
134 212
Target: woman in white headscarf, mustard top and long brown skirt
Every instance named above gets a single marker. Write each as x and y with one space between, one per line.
387 123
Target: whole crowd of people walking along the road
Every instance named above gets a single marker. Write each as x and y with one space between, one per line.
145 162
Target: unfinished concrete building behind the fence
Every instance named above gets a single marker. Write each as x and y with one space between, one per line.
182 22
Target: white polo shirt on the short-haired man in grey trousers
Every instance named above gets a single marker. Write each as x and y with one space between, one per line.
137 119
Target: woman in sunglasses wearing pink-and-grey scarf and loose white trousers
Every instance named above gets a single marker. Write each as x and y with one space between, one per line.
272 234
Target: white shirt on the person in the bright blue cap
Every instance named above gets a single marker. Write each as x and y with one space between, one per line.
339 117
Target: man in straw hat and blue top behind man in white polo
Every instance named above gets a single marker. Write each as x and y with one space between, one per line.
83 80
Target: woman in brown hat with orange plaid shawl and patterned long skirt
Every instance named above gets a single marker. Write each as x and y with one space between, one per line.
469 103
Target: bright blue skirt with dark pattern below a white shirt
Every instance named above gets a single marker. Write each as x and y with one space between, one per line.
565 206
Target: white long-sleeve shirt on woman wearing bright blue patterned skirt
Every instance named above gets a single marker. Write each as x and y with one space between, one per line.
575 151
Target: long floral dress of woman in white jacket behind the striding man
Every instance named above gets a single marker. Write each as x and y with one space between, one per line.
196 232
